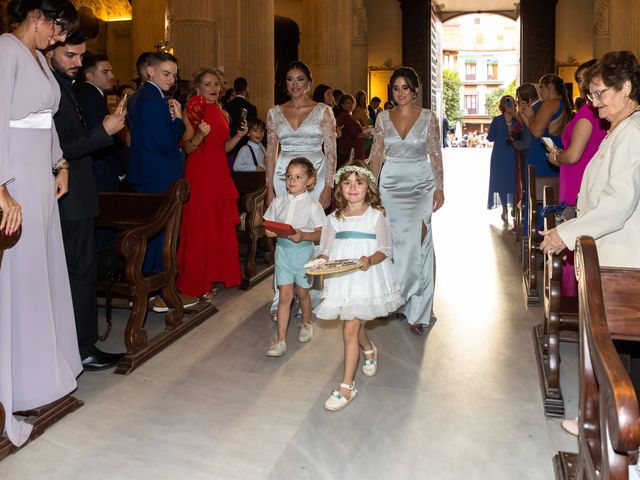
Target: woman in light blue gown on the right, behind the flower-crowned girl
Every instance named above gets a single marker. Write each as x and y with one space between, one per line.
407 155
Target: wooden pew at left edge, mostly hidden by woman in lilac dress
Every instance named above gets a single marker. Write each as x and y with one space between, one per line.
43 417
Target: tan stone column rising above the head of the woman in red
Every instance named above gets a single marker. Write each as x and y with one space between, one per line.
194 35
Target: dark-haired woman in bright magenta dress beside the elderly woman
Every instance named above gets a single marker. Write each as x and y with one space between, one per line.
580 142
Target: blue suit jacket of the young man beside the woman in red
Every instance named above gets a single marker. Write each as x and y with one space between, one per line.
155 160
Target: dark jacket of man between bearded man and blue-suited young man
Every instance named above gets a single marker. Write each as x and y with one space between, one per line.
107 164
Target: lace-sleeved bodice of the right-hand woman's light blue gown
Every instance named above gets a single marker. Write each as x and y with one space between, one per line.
423 140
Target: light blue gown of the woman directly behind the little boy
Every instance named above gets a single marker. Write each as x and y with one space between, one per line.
315 139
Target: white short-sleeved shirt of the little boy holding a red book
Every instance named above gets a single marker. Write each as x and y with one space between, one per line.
302 211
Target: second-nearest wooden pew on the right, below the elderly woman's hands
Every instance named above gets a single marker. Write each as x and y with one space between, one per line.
560 323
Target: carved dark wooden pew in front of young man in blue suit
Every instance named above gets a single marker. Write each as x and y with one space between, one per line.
138 217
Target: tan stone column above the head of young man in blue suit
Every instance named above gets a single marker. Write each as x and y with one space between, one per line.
147 27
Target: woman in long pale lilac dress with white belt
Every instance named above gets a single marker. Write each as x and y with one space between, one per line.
39 359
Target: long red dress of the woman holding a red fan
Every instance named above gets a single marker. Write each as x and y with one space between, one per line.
208 248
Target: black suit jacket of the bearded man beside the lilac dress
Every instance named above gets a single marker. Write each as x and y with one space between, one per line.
78 143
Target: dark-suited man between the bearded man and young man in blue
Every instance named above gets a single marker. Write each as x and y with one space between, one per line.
107 164
